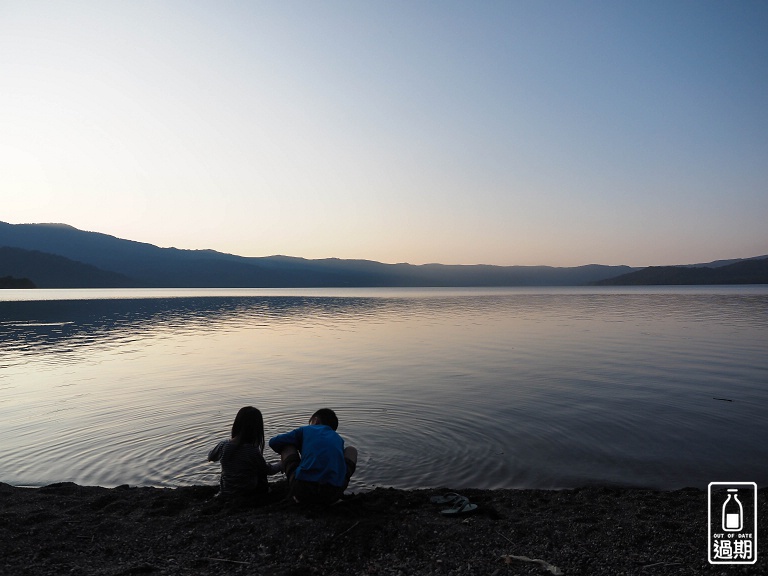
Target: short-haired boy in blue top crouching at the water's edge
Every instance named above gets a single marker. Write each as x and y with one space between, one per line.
314 458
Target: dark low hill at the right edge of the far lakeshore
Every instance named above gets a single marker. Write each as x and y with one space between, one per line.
753 271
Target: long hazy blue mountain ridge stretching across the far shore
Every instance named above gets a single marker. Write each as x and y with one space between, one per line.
145 265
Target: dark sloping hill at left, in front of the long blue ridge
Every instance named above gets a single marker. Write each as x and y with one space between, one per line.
52 271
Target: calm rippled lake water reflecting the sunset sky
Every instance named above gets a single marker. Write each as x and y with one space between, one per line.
535 388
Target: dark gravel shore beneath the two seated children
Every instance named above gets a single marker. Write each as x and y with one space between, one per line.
75 530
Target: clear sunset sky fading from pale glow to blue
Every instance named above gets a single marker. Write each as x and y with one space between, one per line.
514 132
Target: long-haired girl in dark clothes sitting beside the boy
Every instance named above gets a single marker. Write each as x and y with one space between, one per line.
243 468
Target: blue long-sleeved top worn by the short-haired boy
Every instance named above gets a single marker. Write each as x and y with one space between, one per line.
322 453
